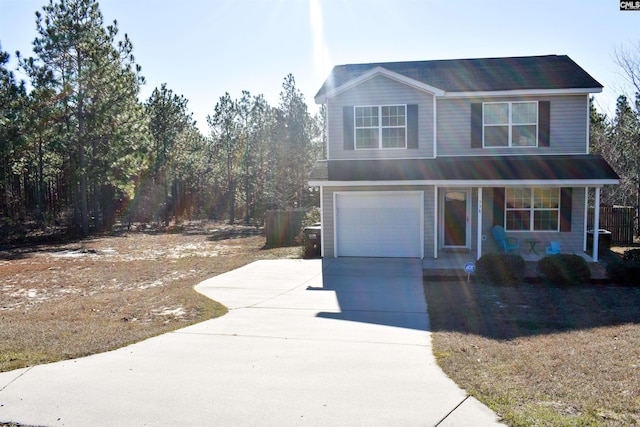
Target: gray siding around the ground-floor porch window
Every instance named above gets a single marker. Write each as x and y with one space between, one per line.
571 242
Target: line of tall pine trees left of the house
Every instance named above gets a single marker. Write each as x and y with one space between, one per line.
79 151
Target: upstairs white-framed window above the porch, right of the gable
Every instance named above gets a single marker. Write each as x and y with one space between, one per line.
510 124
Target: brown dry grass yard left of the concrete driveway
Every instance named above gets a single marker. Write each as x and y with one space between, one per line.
73 299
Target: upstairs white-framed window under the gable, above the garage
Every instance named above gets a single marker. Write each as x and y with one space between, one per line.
378 127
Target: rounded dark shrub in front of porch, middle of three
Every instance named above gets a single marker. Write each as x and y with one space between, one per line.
565 269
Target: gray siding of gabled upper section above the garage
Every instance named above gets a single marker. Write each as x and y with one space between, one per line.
380 91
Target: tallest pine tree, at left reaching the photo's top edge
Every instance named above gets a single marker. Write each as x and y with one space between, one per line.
96 83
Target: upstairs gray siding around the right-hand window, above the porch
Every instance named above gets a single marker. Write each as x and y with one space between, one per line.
568 126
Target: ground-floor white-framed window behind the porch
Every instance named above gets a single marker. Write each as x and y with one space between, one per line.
532 209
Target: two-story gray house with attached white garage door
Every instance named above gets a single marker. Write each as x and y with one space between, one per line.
426 157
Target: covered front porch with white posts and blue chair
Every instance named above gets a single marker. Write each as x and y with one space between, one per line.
465 217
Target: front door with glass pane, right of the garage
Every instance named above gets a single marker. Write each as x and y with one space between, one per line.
455 214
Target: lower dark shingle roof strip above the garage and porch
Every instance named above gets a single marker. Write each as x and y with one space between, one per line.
588 167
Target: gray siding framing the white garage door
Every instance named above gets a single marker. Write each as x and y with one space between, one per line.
328 226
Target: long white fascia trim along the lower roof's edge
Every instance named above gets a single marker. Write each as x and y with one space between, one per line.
475 183
